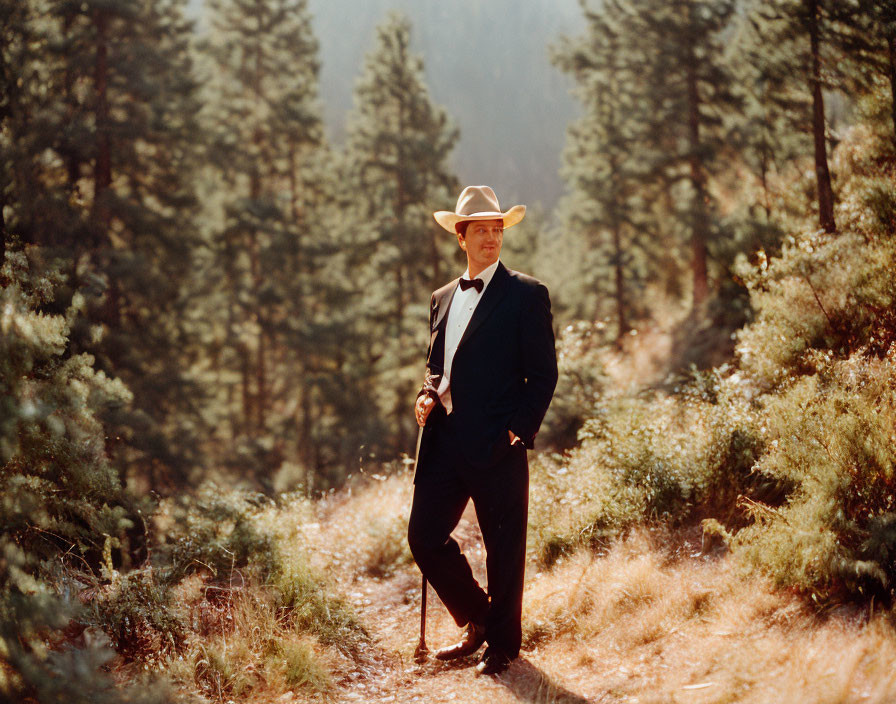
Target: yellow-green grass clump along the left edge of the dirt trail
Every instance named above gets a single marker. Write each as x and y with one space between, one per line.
284 640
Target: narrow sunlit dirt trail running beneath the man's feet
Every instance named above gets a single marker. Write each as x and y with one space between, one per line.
390 610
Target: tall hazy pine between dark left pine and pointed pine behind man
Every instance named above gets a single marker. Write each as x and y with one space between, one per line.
273 289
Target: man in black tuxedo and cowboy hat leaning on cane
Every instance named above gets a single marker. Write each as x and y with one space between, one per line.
491 370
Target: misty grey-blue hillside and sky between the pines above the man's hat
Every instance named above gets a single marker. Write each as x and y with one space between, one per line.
486 63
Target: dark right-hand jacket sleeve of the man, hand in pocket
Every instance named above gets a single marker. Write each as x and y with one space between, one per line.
539 362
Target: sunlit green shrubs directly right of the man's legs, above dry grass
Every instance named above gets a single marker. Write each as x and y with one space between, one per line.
658 458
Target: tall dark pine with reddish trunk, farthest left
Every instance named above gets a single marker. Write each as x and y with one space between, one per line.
101 176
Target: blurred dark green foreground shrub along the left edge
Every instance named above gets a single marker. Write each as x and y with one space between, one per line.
62 504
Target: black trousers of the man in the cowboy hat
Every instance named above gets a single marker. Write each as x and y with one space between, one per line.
500 495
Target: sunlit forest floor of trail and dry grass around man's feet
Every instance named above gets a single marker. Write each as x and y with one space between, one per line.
653 619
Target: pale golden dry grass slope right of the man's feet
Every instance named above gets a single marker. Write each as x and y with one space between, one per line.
640 625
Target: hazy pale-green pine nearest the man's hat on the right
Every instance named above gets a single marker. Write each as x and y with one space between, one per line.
604 165
